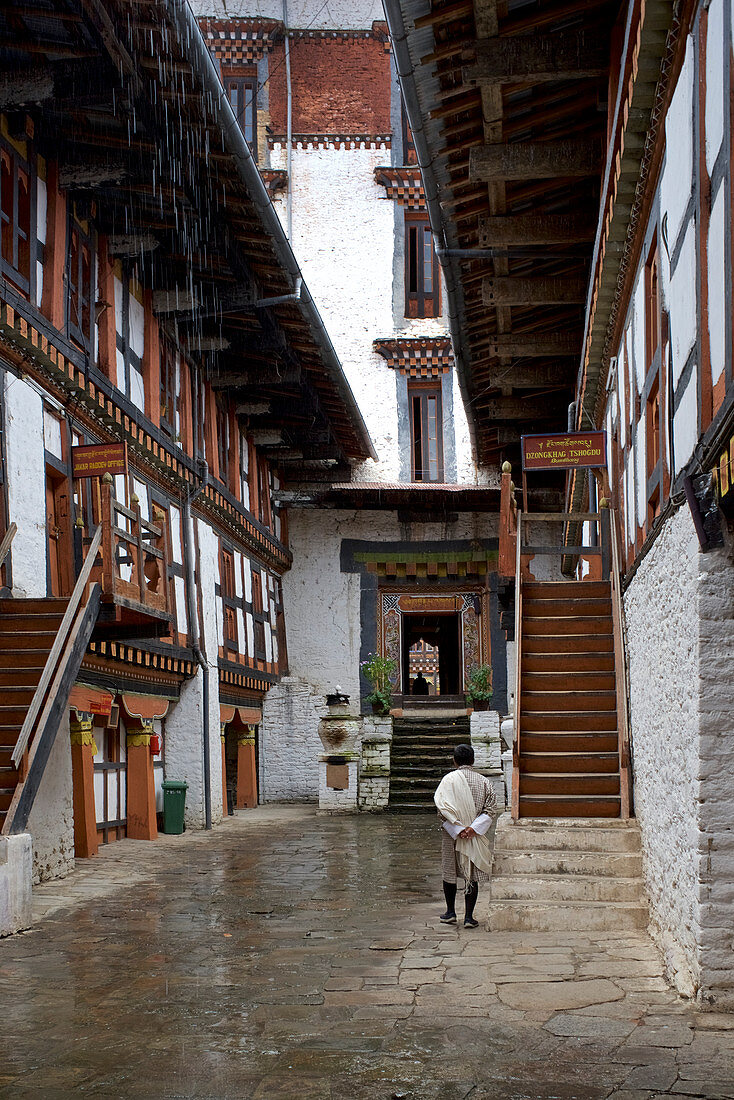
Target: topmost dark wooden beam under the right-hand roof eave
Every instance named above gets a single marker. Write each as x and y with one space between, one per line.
535 58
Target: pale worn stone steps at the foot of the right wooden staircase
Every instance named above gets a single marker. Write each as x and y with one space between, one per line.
575 875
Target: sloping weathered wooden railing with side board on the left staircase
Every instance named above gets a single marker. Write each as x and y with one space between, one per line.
50 701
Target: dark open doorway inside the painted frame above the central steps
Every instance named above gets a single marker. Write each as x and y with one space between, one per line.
432 655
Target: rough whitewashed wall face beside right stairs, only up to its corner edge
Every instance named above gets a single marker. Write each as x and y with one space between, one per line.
664 670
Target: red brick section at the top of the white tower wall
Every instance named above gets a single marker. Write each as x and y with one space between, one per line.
338 86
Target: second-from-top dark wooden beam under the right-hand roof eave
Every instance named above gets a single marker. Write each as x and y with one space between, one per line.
549 160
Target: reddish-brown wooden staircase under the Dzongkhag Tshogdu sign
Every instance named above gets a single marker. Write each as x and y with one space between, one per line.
569 750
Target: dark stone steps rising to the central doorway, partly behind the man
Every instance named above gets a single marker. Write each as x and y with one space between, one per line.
421 756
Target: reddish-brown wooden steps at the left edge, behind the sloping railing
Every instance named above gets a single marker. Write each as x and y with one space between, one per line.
28 631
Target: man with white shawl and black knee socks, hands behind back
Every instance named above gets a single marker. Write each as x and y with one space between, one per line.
467 808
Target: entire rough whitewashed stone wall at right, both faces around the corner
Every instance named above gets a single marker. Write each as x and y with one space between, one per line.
681 641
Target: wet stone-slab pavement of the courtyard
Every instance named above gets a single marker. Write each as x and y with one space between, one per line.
291 955
